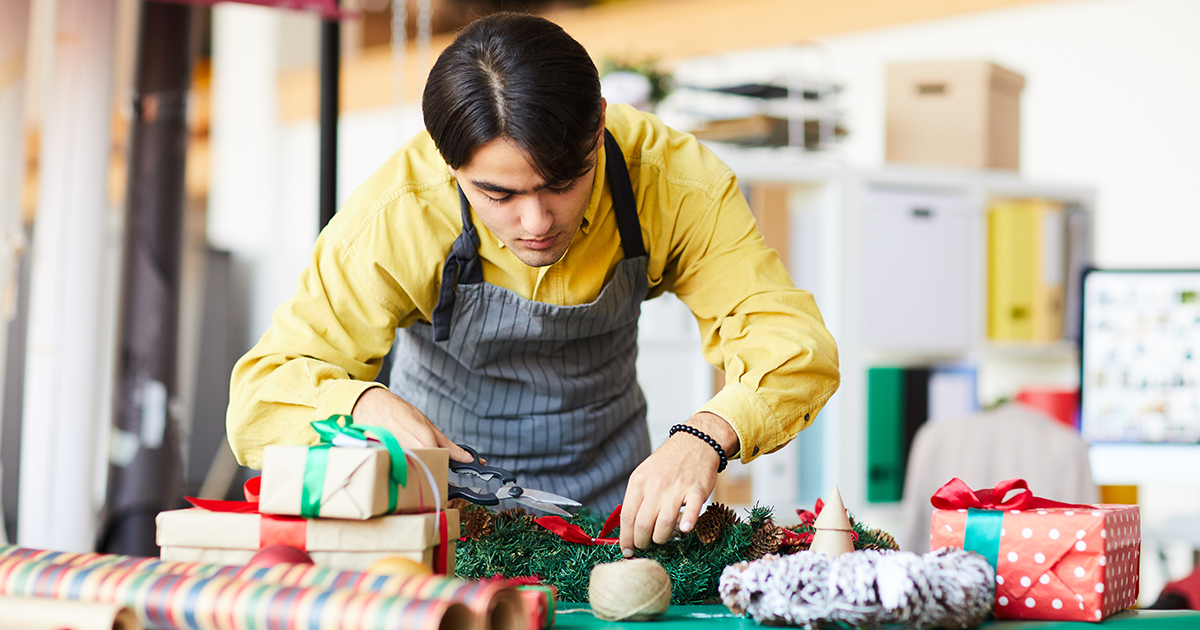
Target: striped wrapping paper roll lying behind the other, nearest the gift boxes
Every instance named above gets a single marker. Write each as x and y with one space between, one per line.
495 604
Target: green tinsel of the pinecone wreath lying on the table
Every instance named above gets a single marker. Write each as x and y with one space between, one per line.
519 548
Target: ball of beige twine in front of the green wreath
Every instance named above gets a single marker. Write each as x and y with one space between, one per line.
629 591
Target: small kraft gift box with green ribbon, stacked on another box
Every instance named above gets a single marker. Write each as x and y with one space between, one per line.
351 483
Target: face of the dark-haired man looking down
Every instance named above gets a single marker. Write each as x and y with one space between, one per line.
535 219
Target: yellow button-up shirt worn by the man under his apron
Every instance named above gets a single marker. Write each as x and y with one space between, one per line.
379 266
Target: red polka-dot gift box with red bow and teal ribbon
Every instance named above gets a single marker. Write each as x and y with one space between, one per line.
1053 561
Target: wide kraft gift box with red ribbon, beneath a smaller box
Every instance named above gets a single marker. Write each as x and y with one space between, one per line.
209 537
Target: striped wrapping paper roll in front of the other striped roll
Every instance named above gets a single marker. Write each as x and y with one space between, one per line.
221 603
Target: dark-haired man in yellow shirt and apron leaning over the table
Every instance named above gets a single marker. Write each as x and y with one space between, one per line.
507 251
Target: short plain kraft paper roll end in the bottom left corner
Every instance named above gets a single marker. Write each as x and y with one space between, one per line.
40 614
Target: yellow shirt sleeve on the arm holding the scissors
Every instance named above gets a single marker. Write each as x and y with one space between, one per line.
326 345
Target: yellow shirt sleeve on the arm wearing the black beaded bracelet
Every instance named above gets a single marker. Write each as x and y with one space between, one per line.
781 362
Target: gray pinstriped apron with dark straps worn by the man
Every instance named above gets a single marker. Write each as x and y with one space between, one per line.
547 392
